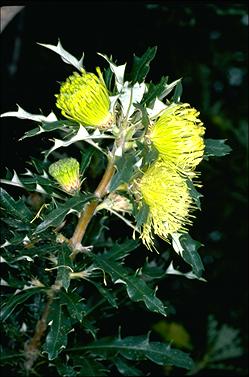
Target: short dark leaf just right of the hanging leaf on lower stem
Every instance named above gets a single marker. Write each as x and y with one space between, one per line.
74 304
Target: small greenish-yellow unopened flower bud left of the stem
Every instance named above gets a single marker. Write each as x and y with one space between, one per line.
67 173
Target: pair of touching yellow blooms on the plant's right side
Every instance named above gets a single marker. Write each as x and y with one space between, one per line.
178 137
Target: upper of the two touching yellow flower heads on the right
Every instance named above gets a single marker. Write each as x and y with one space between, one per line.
178 137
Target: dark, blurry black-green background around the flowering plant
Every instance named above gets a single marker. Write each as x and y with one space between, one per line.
204 43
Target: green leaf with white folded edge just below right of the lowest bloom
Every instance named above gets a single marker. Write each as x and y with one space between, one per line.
187 247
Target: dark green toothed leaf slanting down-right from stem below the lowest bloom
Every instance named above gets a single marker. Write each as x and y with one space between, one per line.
136 288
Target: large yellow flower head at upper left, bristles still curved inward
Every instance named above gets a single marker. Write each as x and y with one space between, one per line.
84 98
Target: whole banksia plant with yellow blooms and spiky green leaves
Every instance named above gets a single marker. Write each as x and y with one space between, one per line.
66 275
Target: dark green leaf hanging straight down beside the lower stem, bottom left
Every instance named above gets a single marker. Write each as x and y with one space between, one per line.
60 325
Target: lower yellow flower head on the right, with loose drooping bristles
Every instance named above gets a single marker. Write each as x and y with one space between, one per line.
167 195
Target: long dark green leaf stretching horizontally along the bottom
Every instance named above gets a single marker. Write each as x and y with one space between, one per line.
139 348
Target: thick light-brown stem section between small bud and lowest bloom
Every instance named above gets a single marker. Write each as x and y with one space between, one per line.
88 213
